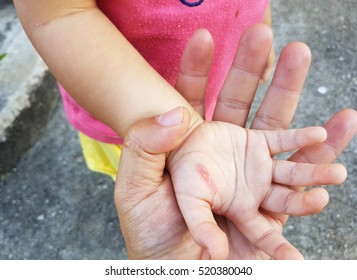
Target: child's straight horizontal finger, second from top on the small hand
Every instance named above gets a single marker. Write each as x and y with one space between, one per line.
306 174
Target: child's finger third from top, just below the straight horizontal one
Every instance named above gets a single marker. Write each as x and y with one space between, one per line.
285 201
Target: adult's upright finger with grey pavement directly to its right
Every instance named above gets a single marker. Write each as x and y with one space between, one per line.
279 104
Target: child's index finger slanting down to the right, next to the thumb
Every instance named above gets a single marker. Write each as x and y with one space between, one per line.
261 233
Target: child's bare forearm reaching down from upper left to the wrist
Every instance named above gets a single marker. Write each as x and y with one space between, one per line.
96 64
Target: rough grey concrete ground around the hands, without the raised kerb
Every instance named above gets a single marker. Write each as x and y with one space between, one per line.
52 207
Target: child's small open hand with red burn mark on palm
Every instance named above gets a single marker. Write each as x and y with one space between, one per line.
226 170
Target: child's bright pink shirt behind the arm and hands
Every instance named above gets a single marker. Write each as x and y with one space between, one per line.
159 29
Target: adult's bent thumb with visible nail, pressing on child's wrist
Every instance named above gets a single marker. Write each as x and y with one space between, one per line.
145 148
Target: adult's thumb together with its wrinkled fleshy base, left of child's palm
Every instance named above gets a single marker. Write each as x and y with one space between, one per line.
150 220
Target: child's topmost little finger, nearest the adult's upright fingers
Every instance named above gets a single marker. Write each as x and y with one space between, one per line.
287 140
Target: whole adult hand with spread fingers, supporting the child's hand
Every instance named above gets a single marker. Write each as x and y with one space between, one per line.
151 223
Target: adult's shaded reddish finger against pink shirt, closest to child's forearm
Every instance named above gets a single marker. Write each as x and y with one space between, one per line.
194 69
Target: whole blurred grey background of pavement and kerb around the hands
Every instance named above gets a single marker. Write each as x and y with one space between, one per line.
52 207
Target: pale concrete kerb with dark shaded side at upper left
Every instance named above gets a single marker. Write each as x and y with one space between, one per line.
27 90
